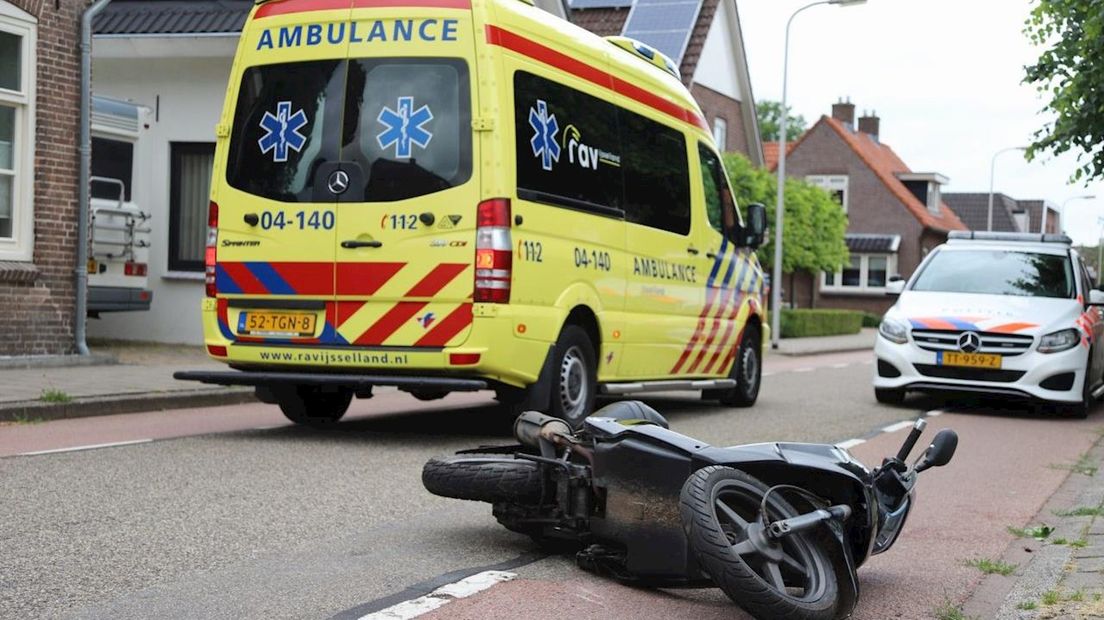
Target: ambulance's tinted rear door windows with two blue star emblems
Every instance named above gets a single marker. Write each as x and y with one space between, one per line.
405 125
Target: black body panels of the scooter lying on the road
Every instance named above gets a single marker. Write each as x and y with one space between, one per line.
642 469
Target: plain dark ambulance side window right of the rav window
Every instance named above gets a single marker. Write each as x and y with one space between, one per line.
657 178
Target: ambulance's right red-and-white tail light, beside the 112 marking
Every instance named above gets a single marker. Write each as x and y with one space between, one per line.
494 252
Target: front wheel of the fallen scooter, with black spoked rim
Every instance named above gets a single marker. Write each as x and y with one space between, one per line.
785 579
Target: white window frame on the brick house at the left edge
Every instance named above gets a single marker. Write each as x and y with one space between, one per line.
20 247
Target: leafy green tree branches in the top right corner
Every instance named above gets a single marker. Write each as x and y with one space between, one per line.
1071 76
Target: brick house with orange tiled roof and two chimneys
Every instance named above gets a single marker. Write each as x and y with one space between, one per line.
896 217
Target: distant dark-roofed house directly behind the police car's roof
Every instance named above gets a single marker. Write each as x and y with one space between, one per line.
1010 216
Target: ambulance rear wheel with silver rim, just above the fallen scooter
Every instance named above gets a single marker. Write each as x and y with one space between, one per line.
575 382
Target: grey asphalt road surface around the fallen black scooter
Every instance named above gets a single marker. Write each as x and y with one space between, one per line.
219 519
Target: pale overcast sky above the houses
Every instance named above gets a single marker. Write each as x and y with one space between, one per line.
943 76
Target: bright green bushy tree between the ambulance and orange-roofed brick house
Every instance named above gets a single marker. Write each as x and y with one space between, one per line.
814 228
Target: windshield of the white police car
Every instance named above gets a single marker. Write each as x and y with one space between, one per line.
999 272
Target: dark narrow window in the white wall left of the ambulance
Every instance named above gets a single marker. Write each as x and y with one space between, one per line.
189 191
